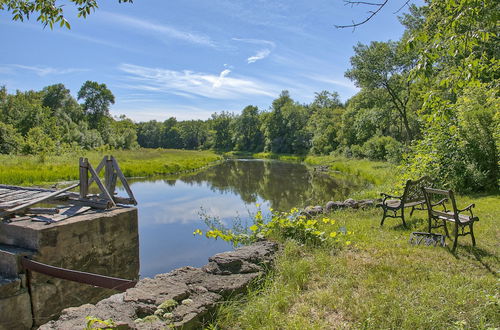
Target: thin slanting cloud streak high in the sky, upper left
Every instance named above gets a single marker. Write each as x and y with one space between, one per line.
160 29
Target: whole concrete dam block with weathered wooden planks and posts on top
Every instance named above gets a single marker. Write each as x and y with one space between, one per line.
52 240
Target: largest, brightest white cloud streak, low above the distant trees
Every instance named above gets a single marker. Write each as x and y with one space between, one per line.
190 83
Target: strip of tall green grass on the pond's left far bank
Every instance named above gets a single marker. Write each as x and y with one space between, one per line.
29 170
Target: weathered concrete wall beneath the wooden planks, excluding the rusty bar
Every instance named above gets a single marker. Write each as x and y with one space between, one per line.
100 242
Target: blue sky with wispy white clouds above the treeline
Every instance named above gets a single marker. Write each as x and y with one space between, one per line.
191 58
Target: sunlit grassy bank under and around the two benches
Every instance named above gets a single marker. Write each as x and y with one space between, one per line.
380 281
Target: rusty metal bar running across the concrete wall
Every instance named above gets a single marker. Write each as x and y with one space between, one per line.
77 276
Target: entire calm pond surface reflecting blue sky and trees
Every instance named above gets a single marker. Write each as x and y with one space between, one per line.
169 209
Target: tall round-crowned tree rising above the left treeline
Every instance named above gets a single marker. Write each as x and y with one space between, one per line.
97 100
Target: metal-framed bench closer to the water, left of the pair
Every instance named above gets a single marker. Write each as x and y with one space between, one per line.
412 197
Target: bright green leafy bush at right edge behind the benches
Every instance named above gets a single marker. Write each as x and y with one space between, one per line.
459 150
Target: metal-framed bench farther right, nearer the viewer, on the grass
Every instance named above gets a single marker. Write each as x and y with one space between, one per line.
461 221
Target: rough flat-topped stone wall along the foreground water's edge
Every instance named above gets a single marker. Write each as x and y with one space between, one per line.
183 298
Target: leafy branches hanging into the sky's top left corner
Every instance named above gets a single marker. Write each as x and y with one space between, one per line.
48 11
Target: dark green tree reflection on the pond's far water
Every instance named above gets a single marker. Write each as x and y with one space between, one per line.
285 185
